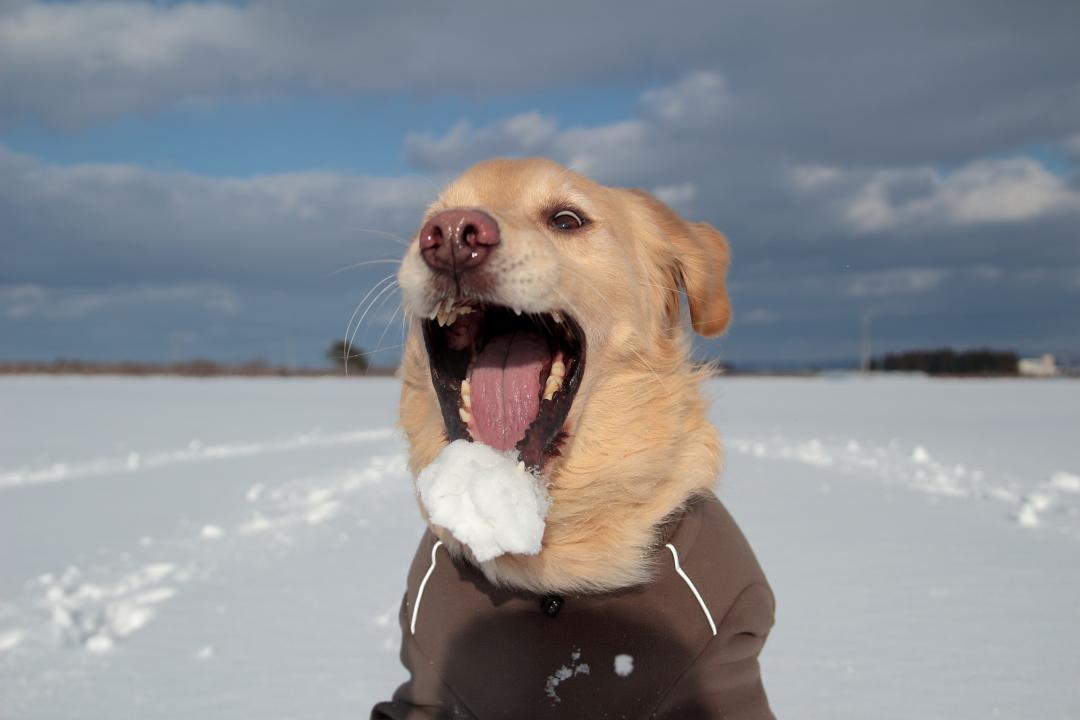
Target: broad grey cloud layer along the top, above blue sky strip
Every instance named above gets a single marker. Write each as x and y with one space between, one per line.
844 85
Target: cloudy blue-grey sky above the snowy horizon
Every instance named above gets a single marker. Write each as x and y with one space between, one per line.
232 181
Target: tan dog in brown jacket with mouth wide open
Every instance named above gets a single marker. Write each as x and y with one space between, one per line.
546 321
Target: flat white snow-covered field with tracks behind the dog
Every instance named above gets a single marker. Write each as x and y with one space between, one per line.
237 549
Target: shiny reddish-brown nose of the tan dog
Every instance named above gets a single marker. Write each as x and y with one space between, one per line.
458 240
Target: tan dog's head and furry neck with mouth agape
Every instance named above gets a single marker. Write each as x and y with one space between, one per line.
545 316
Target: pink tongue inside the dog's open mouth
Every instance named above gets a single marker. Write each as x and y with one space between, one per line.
505 388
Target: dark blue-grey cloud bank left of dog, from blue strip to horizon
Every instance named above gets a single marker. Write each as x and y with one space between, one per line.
117 262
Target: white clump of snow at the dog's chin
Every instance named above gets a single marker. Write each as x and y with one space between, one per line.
487 499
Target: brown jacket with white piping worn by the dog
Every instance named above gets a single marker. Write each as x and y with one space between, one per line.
683 647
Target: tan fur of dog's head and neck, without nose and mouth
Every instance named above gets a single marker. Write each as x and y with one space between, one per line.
640 446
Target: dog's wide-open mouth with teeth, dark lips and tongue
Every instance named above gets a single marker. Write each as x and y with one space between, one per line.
504 378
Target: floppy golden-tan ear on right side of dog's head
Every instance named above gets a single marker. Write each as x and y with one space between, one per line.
700 256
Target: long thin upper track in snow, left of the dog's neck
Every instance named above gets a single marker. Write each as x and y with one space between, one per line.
196 452
